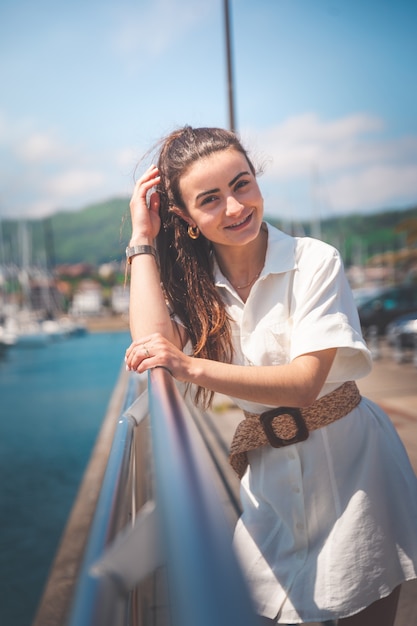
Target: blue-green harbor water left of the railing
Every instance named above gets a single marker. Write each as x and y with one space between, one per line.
52 402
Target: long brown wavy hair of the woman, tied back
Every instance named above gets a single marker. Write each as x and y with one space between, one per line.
187 264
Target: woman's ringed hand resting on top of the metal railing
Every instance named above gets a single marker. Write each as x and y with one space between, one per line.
156 351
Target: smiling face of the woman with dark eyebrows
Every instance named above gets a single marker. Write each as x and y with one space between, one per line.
222 198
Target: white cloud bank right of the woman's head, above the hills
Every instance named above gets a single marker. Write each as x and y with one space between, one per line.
357 165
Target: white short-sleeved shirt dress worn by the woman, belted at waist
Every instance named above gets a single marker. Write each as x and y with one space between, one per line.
329 525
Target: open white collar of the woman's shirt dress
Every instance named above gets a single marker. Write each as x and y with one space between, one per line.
280 256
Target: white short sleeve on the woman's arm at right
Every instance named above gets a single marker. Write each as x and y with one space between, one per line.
323 311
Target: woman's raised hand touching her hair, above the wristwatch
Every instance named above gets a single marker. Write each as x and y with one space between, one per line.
146 221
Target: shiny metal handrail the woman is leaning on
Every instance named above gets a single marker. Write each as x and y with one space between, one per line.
206 586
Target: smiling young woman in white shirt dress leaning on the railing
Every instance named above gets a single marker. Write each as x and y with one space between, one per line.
233 305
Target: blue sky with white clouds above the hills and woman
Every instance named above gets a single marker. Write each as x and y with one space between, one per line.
325 94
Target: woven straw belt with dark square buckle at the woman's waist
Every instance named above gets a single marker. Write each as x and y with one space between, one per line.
293 425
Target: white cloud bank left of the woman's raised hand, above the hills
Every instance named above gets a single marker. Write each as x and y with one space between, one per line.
43 173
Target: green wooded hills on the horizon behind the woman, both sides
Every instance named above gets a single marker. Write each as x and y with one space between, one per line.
99 234
